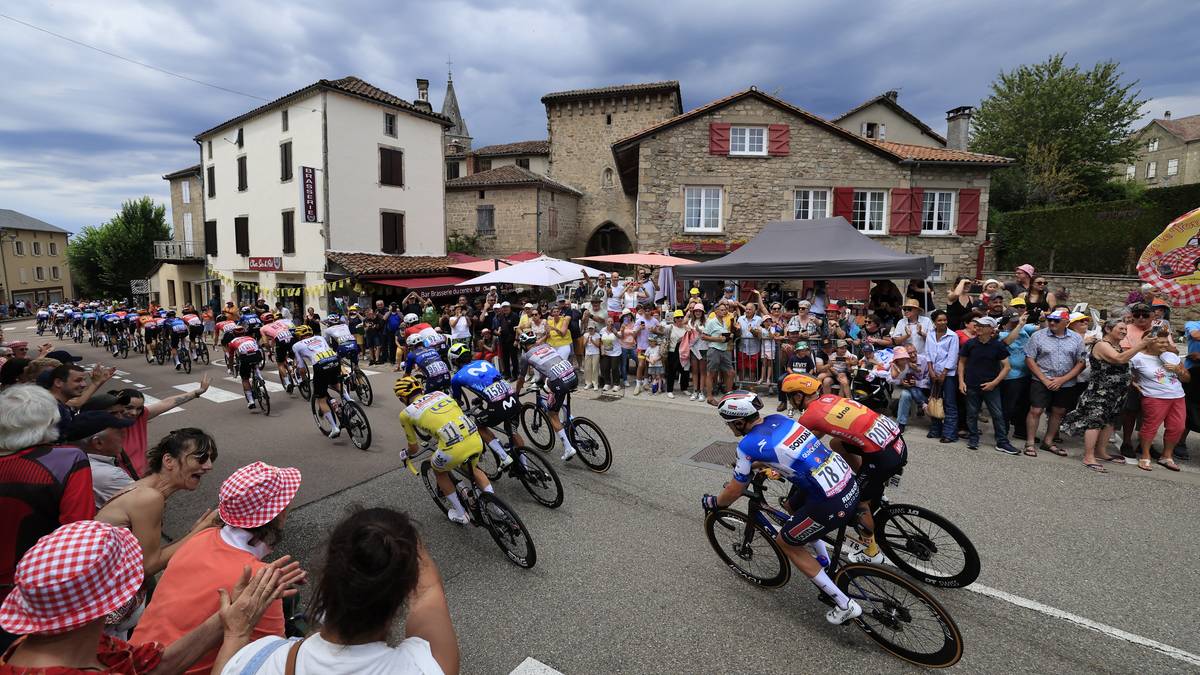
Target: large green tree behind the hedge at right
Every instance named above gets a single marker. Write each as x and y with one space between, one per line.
1066 127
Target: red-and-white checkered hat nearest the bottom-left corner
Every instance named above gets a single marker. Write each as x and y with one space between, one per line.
71 577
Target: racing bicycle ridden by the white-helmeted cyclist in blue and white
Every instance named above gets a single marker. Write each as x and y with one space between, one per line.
898 616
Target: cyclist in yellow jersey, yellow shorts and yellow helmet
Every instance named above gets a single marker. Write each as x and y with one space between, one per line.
436 416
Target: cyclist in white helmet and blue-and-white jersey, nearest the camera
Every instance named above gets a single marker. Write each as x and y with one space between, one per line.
824 494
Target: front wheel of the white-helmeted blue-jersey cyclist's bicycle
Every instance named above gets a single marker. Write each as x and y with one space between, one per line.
747 548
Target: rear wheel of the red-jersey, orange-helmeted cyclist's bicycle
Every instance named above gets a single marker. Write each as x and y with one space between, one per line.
927 547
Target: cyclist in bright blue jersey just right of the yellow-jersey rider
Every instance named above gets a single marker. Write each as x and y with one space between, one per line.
497 404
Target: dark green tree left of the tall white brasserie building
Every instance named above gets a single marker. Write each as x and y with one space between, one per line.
104 260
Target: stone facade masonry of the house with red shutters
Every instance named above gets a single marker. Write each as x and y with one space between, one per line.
758 190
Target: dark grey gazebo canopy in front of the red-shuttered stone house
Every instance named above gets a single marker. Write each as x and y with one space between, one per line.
811 249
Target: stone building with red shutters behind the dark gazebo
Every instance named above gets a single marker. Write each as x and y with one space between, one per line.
706 181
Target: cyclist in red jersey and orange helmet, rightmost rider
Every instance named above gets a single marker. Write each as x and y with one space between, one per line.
869 441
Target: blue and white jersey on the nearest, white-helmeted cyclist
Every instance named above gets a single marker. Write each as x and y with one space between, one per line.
802 458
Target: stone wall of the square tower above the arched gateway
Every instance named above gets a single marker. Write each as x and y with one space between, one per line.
581 136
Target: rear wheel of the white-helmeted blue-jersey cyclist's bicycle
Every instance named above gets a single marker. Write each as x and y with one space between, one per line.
902 618
